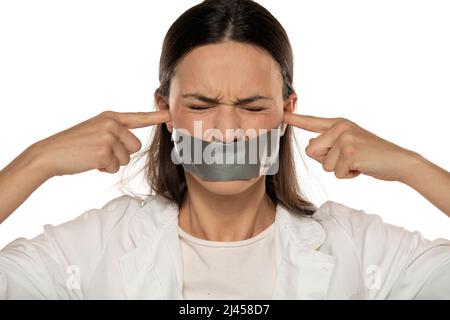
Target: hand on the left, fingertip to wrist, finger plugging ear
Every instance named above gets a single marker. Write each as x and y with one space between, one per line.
103 142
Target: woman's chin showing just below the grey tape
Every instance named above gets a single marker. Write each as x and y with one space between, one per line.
225 188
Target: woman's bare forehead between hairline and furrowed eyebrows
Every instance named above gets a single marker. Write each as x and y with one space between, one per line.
228 69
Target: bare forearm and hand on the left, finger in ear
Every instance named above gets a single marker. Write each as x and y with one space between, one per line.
103 142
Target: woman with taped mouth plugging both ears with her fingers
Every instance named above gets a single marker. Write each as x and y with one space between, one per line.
206 232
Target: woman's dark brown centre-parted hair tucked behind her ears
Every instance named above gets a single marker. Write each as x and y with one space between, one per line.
215 21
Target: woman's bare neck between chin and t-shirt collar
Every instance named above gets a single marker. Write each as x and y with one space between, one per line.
226 217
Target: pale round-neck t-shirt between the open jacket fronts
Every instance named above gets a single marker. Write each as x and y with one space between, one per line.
228 270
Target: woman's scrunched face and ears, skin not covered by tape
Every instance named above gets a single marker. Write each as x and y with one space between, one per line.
227 72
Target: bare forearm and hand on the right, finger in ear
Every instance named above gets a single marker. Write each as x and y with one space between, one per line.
349 150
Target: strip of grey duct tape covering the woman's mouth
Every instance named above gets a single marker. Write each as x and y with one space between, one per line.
239 160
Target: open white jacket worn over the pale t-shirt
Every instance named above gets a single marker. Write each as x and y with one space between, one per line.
131 250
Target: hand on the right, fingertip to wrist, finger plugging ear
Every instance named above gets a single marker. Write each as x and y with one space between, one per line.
348 150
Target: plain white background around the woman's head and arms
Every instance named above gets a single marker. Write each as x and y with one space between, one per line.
383 64
